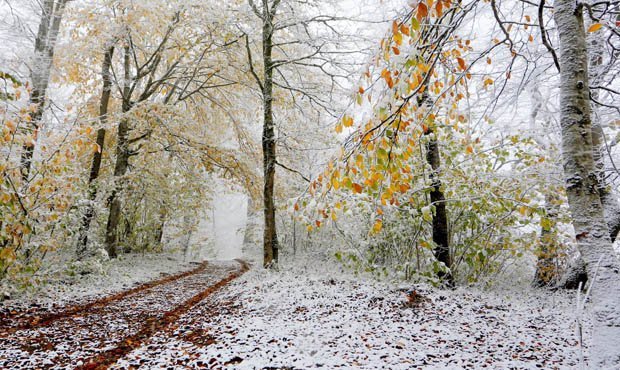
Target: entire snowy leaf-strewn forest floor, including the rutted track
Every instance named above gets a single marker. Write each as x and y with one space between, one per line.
307 316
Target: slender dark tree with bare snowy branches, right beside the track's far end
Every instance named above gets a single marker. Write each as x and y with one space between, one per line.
291 50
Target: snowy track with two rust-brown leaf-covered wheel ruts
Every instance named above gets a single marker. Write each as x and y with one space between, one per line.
98 333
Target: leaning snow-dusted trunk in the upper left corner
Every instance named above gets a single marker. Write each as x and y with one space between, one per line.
45 44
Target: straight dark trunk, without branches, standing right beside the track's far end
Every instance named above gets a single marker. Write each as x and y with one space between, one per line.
270 238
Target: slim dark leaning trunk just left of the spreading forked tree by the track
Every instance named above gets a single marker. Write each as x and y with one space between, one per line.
121 165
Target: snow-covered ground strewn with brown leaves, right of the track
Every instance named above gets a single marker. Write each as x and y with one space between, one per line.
307 316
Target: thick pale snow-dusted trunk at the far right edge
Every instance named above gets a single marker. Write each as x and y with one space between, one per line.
582 186
